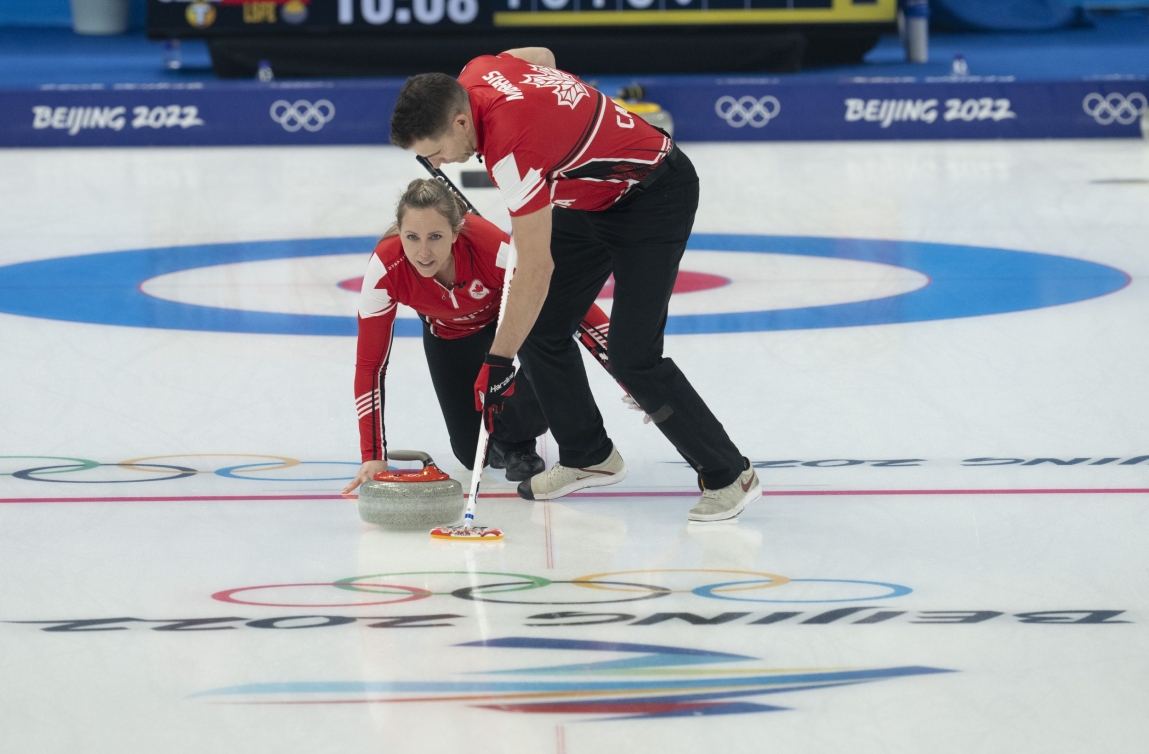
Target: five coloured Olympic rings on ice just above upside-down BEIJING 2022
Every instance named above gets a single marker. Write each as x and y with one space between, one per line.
381 586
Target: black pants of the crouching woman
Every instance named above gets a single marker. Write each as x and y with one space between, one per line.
454 367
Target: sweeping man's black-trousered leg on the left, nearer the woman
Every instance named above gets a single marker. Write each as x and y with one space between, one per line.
551 357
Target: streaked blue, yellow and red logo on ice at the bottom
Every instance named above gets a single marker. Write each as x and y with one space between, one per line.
656 681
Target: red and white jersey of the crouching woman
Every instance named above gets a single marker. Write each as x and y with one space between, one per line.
467 306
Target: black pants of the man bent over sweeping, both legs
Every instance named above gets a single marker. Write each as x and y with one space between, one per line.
642 241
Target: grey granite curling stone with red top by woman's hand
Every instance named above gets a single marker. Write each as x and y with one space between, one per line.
412 498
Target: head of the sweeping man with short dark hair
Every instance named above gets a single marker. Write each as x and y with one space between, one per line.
434 118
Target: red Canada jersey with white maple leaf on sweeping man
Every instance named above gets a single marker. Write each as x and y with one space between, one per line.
549 139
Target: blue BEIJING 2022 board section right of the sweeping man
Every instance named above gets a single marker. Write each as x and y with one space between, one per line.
754 110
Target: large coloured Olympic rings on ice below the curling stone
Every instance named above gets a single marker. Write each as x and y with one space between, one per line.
464 586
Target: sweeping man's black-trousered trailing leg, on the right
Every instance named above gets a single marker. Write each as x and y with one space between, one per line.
647 236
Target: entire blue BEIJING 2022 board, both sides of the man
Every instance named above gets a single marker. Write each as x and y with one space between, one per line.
705 110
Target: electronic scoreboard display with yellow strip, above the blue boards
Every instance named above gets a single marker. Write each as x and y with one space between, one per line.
175 19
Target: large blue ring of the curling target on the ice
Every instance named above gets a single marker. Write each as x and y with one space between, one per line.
965 282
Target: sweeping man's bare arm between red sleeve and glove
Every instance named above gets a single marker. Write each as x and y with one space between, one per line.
530 284
